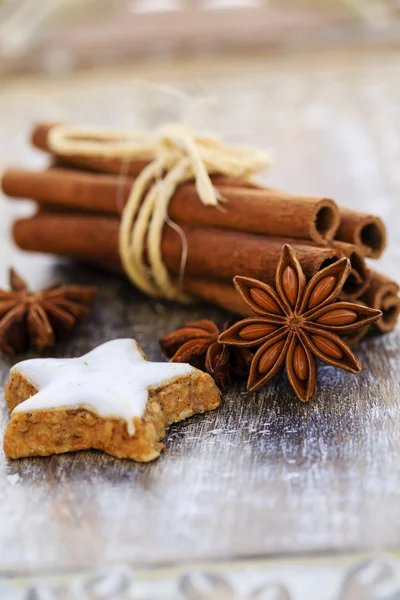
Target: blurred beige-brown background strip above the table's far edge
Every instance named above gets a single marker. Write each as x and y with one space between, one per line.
60 35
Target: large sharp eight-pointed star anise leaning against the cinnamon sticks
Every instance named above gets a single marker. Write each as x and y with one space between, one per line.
298 323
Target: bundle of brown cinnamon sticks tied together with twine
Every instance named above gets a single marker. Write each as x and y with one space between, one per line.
80 200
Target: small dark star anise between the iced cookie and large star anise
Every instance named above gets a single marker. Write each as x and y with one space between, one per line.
197 343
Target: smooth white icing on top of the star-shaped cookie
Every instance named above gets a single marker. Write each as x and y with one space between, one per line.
111 380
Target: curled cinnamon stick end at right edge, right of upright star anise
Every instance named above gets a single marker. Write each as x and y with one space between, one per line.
383 293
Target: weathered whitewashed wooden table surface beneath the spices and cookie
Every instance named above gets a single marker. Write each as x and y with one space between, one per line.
264 475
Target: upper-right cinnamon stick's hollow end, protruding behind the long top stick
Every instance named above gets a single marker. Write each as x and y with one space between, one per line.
366 231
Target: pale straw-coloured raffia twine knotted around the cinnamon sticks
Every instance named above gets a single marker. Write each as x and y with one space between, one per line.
176 154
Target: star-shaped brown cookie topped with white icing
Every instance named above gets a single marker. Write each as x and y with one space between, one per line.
111 399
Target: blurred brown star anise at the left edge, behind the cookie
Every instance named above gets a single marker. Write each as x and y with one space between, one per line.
34 320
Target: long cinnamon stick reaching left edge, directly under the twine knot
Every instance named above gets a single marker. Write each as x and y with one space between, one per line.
244 208
